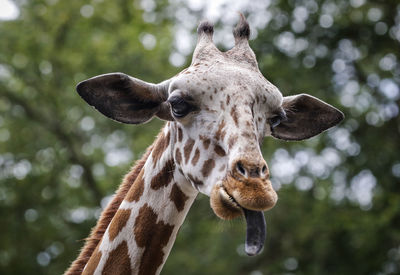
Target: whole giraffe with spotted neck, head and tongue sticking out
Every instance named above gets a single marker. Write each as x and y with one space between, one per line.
217 113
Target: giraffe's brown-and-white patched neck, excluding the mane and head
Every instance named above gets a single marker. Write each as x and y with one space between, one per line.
143 230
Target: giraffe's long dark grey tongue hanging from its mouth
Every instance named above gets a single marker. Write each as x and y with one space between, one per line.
256 231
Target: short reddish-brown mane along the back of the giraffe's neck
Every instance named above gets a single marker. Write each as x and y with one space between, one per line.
98 231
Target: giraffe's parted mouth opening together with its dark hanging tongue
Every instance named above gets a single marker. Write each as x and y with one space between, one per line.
256 226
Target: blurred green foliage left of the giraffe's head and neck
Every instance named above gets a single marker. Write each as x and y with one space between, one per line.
53 148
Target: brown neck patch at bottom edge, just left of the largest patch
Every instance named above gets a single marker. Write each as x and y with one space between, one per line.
118 261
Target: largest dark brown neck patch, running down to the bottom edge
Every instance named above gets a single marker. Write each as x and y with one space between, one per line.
152 236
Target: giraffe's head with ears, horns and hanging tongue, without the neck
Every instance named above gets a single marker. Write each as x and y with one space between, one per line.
221 108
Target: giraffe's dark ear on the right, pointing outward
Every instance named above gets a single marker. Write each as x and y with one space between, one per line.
307 116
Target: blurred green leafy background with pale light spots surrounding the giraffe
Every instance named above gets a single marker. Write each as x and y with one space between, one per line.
60 160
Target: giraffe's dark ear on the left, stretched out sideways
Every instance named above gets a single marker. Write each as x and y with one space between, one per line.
126 99
